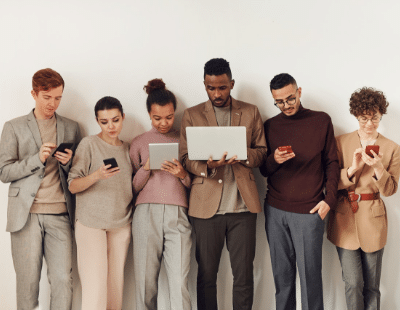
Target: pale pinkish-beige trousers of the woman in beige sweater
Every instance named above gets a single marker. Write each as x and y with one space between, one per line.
101 257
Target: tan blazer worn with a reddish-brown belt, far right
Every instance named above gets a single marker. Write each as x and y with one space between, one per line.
367 228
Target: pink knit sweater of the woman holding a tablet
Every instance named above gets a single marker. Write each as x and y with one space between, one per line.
156 186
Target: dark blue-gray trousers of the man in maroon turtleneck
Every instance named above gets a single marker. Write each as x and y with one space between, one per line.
295 238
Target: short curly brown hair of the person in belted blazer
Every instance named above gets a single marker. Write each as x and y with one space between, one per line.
368 100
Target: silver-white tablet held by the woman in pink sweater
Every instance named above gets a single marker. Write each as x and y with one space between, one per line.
159 152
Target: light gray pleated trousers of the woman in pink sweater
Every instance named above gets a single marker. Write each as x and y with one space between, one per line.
161 232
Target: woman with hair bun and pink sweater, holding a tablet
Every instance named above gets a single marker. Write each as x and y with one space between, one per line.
160 225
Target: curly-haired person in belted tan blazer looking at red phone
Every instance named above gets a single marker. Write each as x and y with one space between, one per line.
358 224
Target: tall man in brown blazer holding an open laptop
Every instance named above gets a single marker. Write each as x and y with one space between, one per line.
224 197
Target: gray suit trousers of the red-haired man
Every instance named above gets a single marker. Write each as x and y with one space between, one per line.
49 236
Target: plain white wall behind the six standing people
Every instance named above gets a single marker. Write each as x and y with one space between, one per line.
114 47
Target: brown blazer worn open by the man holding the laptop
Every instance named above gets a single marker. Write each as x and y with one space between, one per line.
206 190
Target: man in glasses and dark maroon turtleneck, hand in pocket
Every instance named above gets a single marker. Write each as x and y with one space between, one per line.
303 171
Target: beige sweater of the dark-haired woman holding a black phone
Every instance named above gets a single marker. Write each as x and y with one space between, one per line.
107 203
